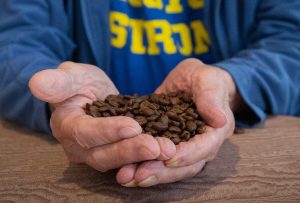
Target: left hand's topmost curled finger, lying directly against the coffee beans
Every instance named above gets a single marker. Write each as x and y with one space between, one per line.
89 132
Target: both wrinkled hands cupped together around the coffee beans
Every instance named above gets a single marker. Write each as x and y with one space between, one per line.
117 142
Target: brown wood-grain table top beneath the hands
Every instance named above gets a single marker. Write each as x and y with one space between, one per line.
258 166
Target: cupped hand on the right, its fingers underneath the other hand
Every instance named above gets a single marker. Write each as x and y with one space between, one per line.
214 93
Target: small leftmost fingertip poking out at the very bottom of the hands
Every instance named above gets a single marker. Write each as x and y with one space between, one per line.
125 175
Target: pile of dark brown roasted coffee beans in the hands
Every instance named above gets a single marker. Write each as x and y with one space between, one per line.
173 115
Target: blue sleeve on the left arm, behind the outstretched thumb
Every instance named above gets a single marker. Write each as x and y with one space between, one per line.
33 37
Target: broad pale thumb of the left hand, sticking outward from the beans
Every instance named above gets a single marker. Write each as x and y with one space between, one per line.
56 85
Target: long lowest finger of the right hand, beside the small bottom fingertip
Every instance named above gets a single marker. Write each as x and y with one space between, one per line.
155 172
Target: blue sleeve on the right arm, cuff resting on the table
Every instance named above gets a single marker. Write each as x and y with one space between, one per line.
267 72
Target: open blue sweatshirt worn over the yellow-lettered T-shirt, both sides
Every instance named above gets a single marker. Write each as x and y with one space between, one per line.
256 41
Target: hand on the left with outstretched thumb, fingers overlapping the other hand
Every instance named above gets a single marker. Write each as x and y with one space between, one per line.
102 143
